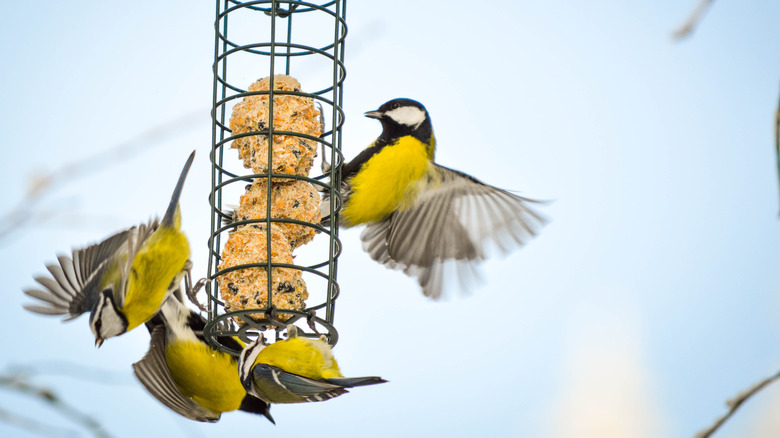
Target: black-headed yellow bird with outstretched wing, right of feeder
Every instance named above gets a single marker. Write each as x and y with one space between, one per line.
419 214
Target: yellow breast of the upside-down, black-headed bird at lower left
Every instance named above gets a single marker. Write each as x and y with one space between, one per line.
208 377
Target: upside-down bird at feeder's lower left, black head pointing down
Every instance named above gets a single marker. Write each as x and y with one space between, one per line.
186 374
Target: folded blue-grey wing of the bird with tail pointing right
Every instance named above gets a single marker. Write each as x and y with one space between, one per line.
275 385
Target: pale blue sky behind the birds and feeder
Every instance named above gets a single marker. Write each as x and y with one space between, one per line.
650 298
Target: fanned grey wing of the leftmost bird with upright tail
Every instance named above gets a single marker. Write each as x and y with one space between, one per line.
75 282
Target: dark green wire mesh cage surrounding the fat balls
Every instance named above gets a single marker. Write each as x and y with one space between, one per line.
305 40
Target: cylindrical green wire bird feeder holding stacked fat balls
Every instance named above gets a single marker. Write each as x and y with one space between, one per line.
268 39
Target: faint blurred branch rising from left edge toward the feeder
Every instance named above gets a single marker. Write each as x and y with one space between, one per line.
42 184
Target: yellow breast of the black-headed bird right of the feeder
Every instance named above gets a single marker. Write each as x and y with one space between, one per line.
386 181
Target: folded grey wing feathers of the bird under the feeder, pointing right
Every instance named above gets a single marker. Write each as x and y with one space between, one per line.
302 388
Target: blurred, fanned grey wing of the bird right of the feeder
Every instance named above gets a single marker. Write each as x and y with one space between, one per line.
452 219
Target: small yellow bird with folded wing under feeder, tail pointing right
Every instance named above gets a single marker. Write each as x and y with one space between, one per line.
294 370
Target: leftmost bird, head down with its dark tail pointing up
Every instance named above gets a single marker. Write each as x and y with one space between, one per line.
122 280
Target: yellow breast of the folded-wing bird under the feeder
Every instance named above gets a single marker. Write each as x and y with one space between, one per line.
306 357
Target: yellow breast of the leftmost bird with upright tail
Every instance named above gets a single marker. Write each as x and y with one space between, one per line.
160 260
